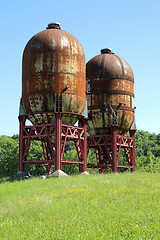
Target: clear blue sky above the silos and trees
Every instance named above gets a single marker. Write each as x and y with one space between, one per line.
130 28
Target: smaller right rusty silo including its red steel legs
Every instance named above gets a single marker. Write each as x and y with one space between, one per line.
110 103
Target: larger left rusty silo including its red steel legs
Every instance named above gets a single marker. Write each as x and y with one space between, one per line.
53 96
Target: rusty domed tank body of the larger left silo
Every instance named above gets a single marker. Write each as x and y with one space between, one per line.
53 74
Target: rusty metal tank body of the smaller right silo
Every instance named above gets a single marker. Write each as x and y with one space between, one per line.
110 81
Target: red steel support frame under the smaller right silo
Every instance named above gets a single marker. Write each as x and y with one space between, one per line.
110 145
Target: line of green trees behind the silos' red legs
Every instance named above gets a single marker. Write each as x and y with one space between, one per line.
147 152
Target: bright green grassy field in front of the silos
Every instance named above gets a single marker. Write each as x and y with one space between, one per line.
122 206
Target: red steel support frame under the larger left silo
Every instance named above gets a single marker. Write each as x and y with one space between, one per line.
53 150
